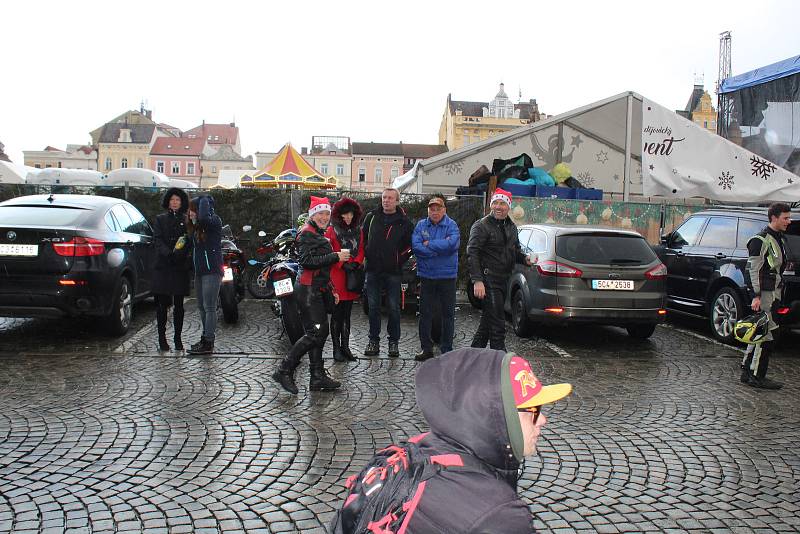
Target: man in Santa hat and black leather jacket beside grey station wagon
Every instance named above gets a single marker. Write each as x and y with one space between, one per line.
492 250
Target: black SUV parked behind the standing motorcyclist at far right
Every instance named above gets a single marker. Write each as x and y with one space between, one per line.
706 259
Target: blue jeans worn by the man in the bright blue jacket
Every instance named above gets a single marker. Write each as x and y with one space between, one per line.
437 296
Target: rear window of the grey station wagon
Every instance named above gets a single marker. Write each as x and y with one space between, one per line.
604 249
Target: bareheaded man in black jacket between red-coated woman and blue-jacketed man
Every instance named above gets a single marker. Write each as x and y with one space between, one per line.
387 246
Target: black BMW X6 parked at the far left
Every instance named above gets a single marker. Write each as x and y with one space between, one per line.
73 256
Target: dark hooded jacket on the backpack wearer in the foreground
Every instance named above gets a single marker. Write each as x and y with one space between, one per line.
461 397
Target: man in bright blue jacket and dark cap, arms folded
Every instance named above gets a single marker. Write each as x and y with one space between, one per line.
435 243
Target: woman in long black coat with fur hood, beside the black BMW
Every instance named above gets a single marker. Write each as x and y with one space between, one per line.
173 265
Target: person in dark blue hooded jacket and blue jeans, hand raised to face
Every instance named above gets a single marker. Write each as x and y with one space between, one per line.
205 228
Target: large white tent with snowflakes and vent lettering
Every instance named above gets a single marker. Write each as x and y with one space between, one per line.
602 144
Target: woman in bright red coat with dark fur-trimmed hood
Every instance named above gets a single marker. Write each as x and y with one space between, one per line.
344 232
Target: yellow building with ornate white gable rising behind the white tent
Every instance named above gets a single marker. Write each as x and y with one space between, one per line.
464 122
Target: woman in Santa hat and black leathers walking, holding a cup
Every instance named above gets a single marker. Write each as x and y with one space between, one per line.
315 297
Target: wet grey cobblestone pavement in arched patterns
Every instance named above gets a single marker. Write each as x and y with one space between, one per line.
107 435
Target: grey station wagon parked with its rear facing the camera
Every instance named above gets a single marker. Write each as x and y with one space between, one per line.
586 274
